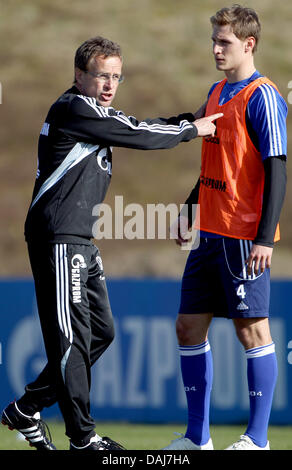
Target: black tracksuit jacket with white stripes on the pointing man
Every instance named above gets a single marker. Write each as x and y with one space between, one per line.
75 162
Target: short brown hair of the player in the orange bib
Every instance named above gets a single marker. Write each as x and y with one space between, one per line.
243 21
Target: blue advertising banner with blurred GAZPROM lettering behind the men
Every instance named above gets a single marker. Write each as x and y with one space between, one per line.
138 377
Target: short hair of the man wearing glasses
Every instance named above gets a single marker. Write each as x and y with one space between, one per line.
96 46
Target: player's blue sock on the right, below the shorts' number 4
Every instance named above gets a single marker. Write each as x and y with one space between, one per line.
262 374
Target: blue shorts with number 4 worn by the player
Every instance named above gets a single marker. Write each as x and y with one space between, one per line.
215 281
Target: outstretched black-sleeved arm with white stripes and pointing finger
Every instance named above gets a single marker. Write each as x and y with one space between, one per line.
93 123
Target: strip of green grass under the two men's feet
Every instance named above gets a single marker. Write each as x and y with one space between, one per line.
148 437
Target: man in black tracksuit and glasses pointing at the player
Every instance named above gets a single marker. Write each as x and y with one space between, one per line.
74 172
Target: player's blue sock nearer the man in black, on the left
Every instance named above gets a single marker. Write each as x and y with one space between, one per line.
197 374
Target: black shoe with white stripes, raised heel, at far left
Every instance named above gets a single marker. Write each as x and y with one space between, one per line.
32 427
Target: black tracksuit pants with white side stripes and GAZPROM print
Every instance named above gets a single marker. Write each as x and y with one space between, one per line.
77 327
